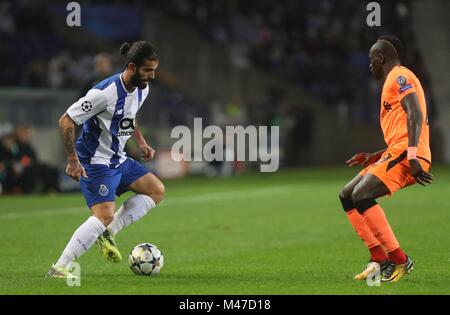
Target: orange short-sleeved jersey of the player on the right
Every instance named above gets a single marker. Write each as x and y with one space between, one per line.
400 82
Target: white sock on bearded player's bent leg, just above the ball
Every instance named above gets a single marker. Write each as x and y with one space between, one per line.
132 210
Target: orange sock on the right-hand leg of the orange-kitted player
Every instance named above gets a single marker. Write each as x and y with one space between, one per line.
377 222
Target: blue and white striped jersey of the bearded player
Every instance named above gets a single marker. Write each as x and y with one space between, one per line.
107 113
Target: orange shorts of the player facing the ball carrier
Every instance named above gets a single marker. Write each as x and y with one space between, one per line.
393 170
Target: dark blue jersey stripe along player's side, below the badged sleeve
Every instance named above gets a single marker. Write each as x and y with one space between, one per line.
88 142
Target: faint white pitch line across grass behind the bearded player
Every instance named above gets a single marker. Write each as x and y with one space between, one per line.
173 201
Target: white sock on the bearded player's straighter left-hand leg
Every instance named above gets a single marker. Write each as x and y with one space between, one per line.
81 240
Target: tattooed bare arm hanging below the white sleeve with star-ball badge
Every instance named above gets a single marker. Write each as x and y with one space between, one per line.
67 128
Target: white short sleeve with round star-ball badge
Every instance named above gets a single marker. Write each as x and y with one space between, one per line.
88 106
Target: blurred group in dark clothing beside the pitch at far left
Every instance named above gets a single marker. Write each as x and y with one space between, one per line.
20 169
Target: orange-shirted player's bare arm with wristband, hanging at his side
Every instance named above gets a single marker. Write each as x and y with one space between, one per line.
410 104
